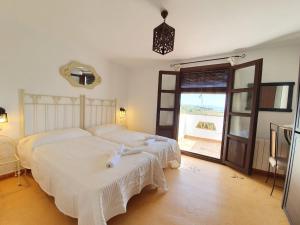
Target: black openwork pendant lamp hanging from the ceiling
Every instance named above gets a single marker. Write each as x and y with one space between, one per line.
163 36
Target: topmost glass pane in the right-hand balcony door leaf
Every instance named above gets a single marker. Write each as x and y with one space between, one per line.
244 78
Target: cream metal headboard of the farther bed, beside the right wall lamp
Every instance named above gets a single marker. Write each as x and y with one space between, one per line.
99 112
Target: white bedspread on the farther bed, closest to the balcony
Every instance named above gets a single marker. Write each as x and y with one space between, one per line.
165 151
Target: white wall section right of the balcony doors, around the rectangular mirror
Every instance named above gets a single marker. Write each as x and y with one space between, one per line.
280 64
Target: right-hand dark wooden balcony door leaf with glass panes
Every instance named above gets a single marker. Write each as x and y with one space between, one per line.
241 115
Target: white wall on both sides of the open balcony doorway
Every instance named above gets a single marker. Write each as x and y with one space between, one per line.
280 64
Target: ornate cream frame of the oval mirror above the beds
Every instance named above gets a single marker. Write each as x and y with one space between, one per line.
65 72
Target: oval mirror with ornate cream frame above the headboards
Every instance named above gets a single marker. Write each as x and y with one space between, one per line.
80 75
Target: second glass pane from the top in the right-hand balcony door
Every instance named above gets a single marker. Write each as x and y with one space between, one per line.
242 102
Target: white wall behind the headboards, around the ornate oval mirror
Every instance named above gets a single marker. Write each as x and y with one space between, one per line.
30 59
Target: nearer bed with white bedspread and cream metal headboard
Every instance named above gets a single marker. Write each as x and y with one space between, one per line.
70 164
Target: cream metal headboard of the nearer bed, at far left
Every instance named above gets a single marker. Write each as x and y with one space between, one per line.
39 113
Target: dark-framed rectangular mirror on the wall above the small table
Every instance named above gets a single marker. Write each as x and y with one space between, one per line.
276 96
